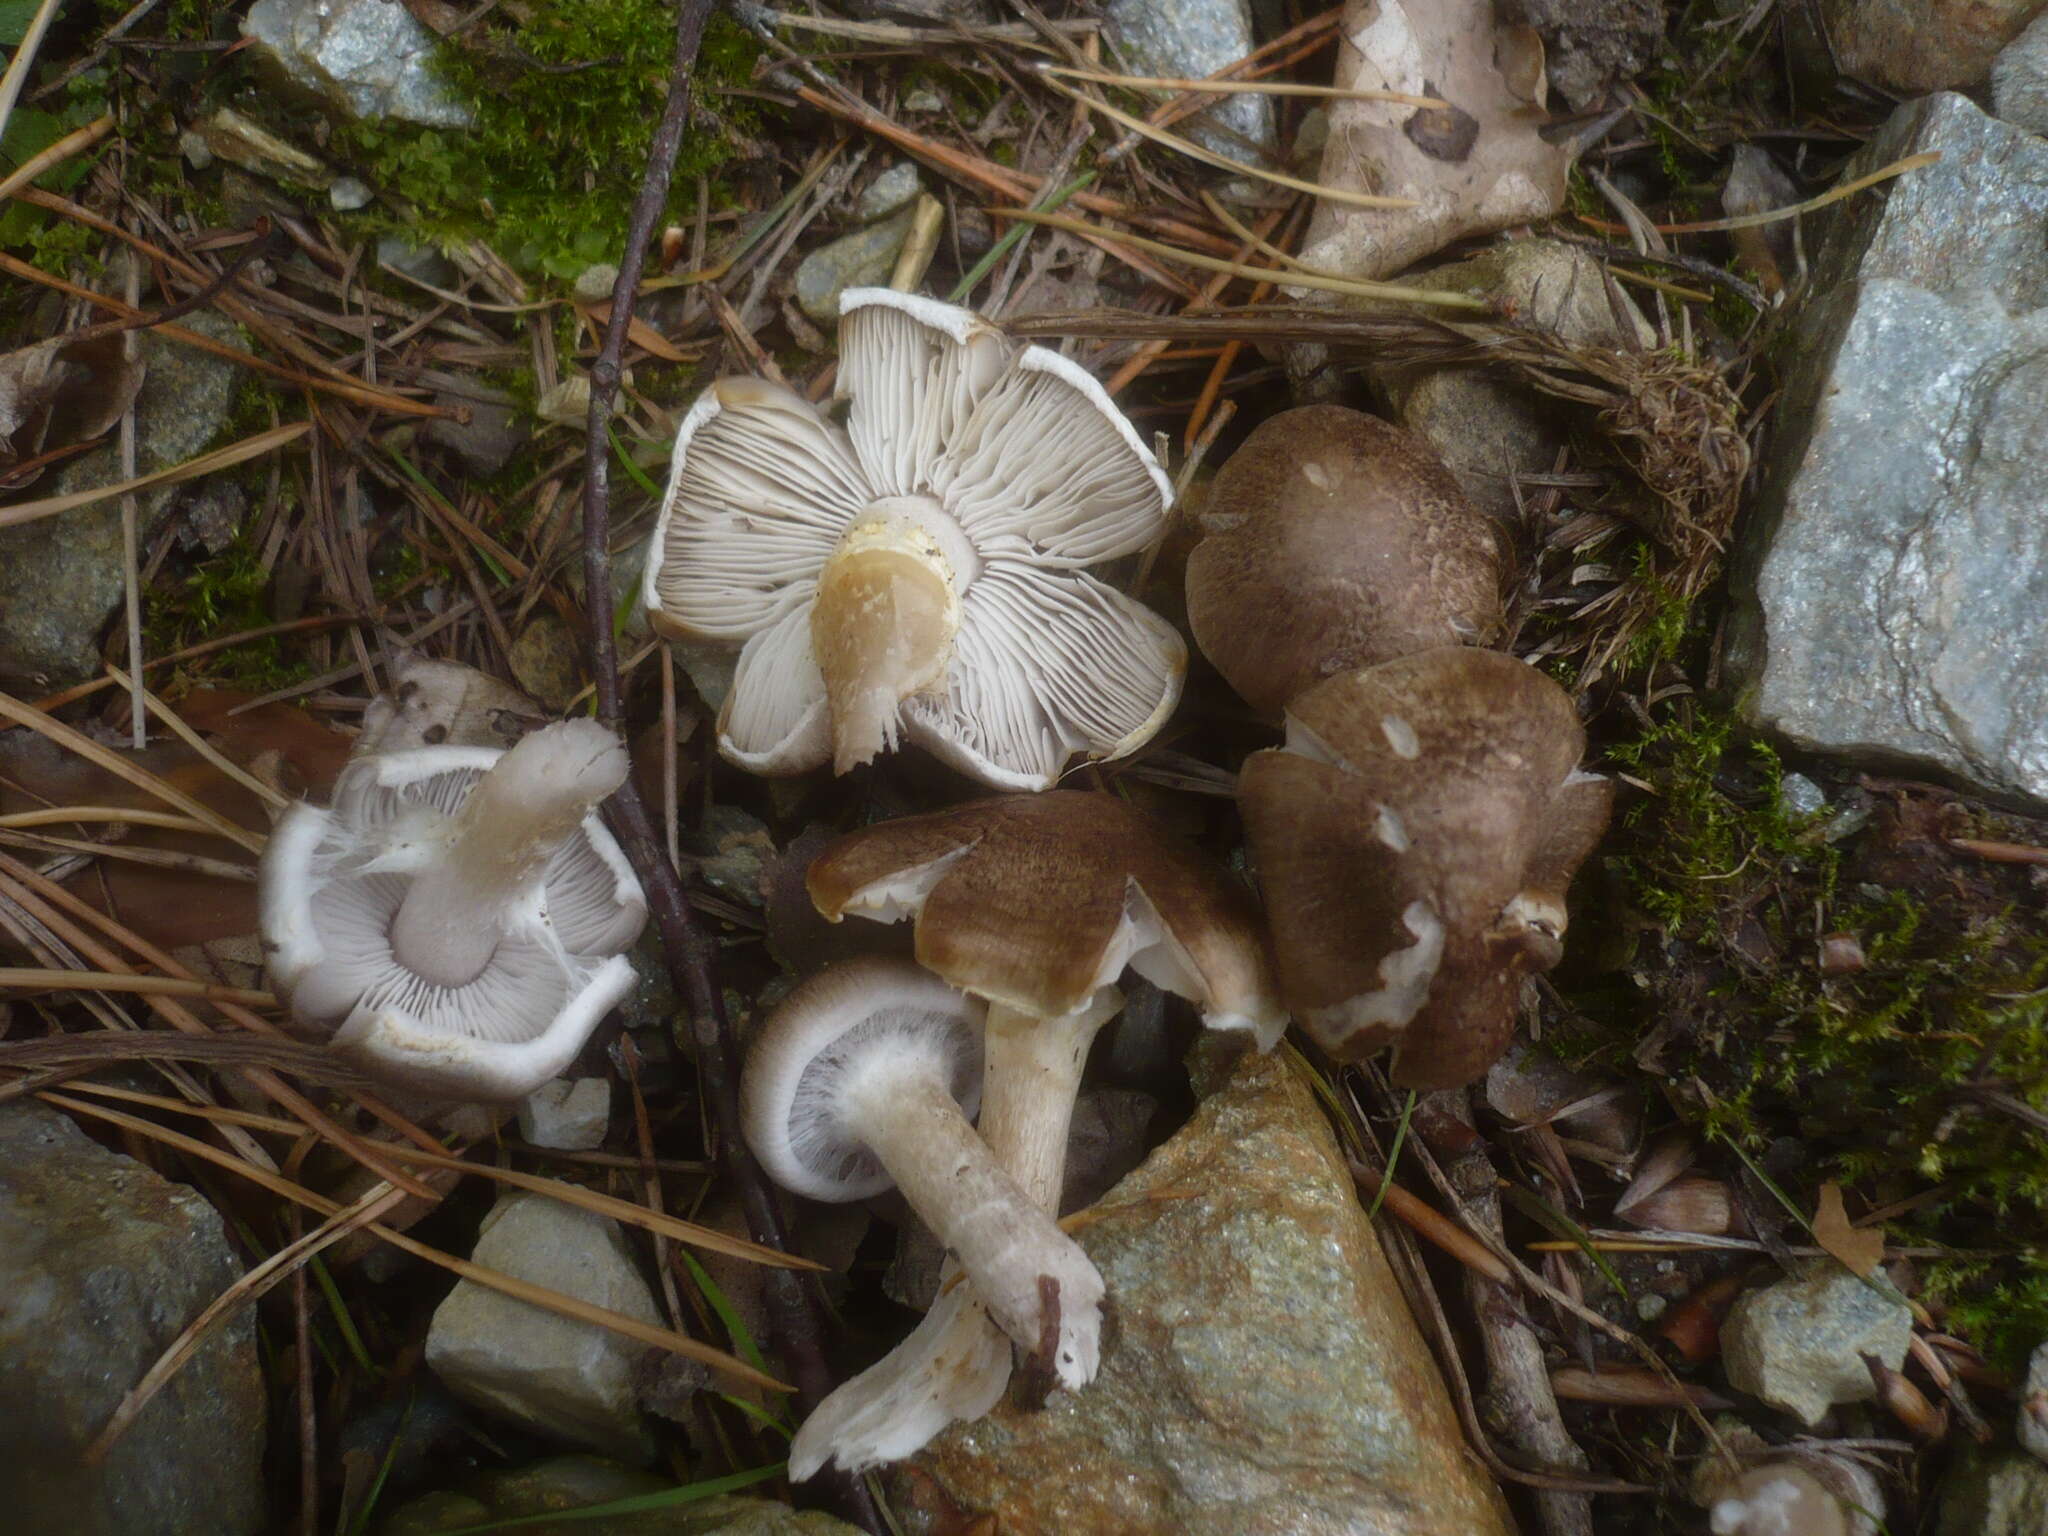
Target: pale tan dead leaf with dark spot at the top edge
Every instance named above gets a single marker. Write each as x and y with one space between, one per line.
1474 167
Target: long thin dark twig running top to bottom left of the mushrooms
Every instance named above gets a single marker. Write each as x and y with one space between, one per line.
796 1308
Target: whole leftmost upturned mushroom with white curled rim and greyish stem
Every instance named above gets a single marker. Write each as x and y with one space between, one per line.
458 916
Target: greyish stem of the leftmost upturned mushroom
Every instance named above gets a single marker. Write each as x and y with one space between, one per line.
511 824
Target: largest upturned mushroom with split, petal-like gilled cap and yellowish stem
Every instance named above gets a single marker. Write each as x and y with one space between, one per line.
921 572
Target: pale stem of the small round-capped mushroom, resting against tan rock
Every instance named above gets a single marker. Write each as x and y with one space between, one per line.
1002 1238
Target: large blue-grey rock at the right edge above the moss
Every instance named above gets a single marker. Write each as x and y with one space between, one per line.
1893 591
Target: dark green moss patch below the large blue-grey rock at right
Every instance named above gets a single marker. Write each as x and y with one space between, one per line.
1922 1070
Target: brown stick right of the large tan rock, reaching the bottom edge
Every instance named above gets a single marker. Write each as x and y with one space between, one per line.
1519 1379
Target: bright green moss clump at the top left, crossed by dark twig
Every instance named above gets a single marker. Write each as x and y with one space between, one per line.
566 105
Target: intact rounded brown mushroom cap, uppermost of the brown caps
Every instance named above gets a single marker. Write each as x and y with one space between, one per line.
1336 542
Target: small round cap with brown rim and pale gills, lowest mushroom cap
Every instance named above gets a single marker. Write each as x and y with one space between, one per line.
816 1037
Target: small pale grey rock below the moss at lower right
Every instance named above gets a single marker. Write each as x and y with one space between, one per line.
1801 1342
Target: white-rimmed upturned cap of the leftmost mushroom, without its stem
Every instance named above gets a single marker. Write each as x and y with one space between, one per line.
335 880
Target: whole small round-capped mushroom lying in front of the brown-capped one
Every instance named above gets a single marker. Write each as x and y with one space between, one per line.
865 1078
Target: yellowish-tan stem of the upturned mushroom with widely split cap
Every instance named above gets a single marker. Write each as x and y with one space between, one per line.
884 624
